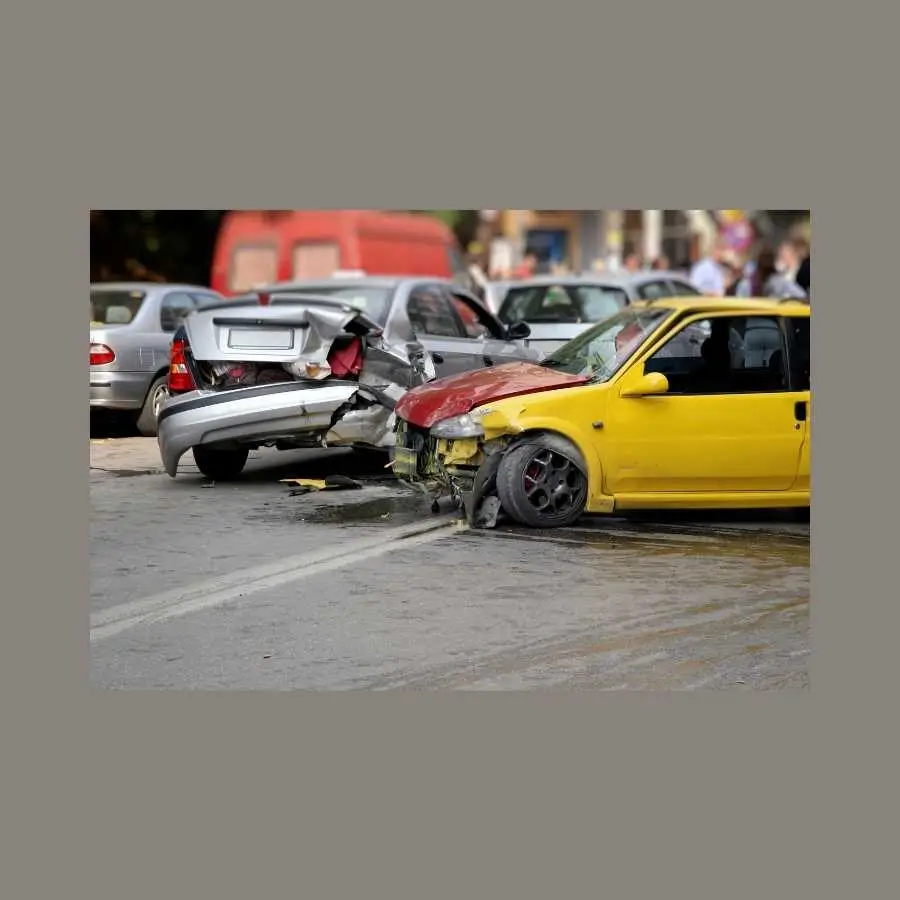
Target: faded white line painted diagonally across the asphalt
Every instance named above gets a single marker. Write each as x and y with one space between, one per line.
215 591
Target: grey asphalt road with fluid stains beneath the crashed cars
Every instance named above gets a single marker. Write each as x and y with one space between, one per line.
243 586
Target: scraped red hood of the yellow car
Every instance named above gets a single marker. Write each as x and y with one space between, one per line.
456 395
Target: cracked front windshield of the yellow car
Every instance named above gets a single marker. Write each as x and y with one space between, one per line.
602 350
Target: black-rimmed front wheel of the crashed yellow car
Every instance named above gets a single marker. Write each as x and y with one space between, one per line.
542 483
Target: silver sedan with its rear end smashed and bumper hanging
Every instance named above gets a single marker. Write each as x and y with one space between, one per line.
319 364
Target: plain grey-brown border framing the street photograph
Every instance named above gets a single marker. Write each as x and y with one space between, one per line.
199 795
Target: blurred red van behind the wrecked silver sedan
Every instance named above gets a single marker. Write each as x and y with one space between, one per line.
257 247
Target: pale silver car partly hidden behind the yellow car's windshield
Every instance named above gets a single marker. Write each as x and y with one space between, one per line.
558 308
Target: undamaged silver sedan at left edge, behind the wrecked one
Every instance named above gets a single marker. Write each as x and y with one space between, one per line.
132 324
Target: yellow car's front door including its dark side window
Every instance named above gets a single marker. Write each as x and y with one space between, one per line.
727 423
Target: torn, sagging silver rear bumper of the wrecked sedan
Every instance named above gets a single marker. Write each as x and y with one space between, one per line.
329 413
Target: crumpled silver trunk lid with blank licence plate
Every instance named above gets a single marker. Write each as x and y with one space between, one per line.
284 331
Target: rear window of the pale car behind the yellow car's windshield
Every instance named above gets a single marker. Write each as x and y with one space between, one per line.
563 303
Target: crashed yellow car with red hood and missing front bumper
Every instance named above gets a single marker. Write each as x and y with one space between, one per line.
677 403
